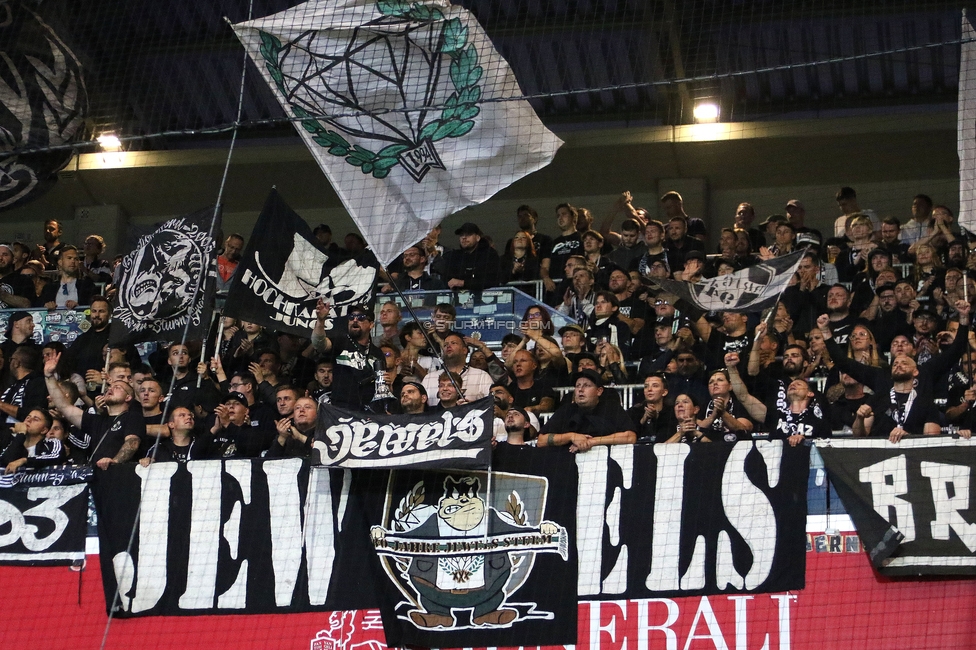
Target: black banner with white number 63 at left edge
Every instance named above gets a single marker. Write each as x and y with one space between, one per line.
44 516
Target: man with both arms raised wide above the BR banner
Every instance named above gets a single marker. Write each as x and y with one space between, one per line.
903 399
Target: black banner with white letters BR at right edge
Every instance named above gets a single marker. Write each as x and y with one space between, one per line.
910 502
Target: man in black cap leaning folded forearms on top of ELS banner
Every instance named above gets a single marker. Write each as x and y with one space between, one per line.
587 420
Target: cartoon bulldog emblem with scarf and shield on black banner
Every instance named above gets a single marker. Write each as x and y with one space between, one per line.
458 563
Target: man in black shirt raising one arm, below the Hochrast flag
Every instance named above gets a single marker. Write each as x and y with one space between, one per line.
354 353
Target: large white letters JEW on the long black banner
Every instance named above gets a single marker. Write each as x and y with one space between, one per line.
213 537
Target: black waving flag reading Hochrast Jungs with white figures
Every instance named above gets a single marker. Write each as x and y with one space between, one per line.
282 274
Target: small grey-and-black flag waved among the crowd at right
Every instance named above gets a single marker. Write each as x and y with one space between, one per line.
751 289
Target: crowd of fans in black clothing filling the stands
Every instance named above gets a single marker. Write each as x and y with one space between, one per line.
870 337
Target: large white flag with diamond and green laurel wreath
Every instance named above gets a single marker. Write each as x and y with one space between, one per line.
401 103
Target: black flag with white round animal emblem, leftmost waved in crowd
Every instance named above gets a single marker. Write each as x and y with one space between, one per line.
159 294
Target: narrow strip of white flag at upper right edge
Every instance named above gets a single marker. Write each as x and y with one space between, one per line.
966 129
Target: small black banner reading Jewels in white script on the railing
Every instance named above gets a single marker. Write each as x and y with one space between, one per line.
456 438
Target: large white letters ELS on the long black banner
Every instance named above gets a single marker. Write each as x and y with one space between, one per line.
745 505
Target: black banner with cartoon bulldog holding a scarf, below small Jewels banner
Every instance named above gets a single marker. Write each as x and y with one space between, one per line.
474 559
